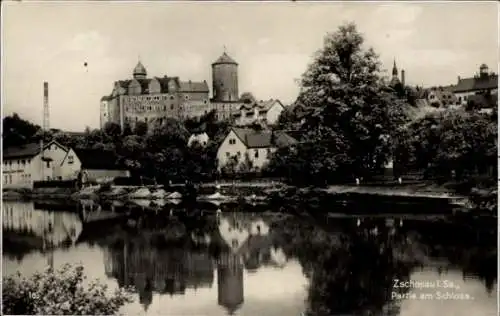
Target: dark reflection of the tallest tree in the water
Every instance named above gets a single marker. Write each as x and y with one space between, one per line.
351 269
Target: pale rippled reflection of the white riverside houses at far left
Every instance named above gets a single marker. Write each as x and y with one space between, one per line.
53 228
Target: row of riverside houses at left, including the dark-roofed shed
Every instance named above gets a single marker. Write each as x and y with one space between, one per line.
26 164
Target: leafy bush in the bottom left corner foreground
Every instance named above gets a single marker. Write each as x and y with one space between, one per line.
59 292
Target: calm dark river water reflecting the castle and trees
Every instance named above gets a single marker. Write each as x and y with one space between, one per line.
261 260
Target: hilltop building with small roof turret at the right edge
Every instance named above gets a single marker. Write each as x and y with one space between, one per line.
483 83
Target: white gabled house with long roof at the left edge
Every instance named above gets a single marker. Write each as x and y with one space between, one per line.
22 165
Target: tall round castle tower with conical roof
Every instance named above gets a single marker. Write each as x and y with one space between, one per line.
225 79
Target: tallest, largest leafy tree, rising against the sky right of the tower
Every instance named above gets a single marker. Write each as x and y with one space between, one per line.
352 113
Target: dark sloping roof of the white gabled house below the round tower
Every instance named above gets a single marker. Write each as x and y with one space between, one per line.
264 138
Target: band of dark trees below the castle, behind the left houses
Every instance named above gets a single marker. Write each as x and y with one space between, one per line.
159 151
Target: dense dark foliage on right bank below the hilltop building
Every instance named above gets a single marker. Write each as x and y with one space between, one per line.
452 144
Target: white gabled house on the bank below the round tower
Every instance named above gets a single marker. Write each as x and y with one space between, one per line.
257 145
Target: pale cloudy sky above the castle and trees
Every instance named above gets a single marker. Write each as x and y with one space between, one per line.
273 43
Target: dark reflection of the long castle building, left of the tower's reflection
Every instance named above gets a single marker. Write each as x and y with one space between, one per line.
150 269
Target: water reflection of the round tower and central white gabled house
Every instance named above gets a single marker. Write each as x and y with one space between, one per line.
249 245
